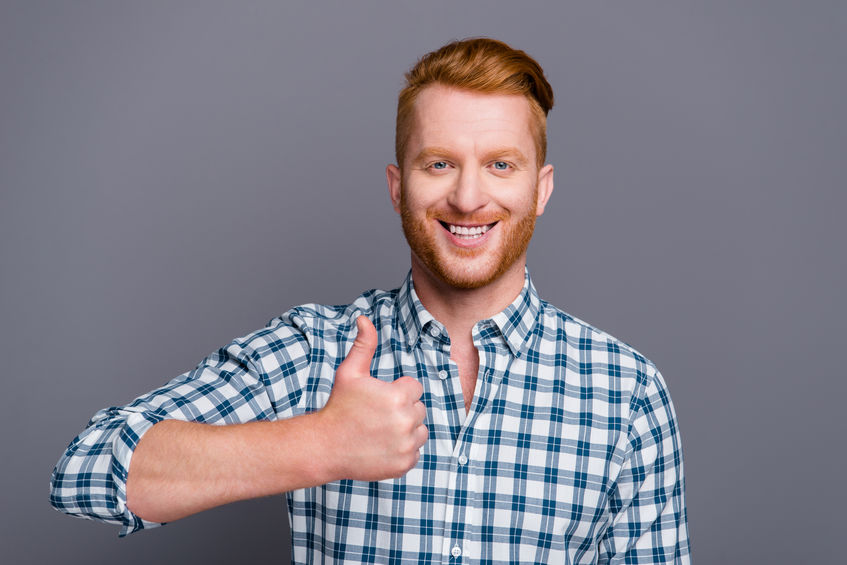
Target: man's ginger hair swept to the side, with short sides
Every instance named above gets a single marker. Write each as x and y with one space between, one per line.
480 65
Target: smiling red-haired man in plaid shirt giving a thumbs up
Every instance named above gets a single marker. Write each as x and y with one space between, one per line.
458 418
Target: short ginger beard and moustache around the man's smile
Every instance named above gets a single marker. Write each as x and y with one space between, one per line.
465 268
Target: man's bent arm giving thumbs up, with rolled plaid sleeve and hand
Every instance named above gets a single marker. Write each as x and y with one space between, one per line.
367 430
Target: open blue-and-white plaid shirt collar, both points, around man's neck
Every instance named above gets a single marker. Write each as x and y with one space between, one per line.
515 323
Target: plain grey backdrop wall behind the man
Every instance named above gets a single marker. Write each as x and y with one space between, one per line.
174 174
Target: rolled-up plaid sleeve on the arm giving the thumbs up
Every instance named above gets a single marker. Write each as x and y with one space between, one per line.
252 379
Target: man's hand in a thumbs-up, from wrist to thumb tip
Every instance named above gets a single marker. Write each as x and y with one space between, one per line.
375 428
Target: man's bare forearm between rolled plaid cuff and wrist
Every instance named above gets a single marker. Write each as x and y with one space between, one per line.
181 468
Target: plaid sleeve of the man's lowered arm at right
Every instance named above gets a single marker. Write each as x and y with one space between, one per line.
649 523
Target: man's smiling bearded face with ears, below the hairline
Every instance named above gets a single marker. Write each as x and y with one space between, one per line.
469 189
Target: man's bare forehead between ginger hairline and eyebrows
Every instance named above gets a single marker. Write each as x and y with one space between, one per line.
470 121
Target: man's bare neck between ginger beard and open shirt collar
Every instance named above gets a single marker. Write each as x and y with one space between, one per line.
459 309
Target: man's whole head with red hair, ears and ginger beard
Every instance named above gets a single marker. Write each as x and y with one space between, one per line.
470 178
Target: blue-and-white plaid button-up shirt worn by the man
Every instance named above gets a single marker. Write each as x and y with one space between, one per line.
570 452
